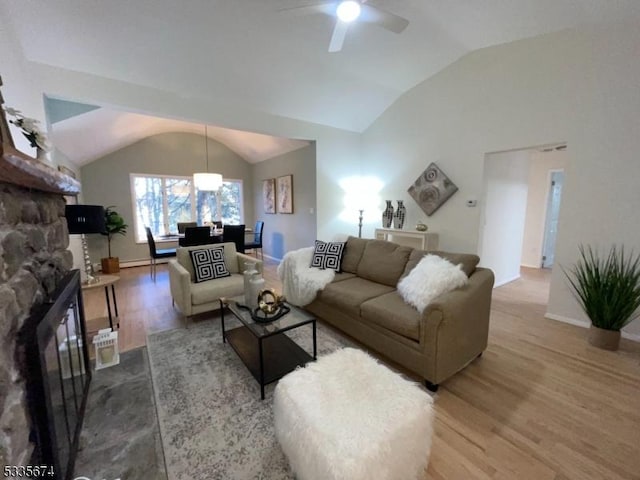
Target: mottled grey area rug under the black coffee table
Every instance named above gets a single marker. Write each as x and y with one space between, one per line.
212 422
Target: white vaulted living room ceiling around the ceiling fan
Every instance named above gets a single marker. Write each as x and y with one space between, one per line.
254 55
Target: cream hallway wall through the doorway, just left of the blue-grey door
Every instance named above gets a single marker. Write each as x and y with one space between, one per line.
539 182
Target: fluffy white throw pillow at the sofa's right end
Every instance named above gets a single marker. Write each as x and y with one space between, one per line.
432 277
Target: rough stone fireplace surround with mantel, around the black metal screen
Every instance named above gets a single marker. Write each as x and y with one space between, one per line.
33 260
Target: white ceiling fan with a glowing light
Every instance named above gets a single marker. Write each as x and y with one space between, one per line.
349 11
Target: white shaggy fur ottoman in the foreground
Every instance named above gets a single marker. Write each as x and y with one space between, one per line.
348 417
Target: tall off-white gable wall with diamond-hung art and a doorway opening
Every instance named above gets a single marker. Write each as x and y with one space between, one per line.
579 87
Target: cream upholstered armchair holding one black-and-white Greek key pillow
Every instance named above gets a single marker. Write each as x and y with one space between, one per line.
193 298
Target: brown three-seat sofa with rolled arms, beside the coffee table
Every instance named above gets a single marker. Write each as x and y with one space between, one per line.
363 302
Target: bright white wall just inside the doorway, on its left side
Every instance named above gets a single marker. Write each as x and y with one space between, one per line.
506 178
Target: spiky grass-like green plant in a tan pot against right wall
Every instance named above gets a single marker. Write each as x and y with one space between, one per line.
608 290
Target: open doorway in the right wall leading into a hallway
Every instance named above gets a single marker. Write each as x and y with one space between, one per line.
520 210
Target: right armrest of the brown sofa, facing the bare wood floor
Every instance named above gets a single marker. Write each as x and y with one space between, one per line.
455 326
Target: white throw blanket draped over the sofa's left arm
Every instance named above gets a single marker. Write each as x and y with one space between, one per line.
300 282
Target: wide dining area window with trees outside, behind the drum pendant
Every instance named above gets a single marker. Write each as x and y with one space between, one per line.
160 202
